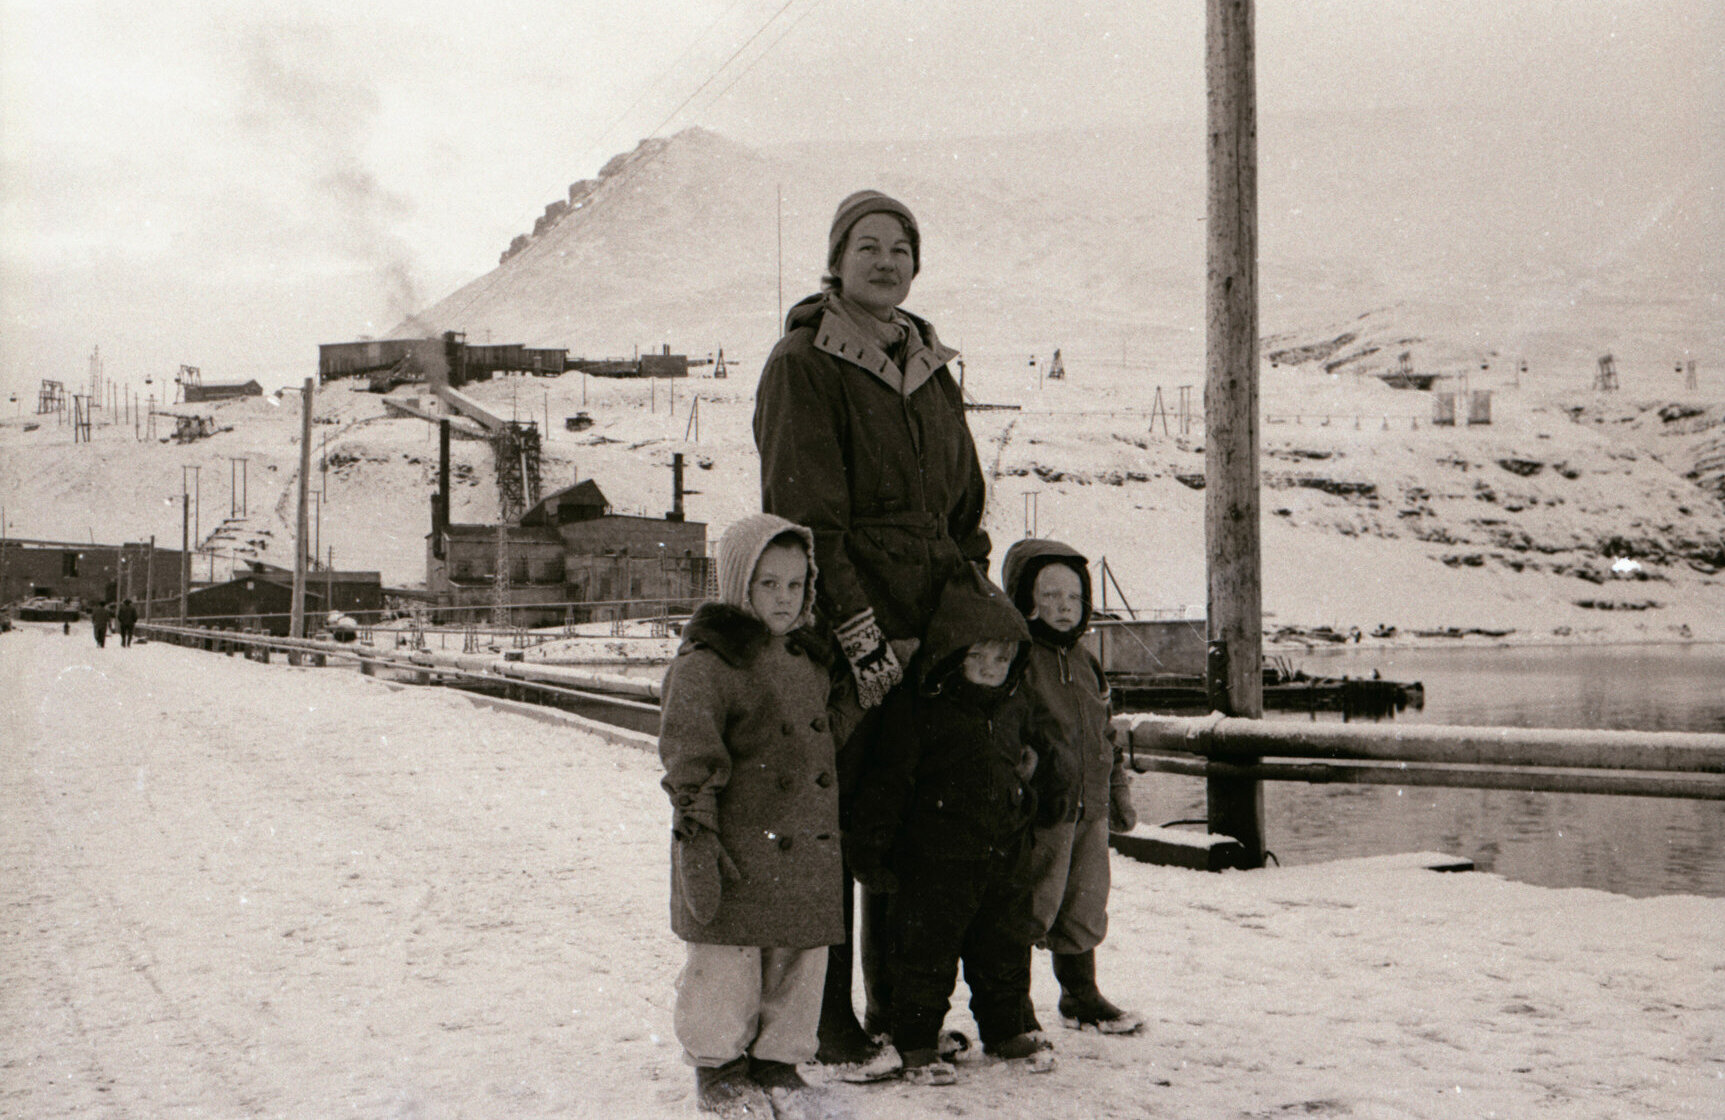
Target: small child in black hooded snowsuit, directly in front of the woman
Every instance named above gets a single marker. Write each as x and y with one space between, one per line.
944 822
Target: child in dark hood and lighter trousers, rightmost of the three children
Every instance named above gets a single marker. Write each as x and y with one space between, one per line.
1051 586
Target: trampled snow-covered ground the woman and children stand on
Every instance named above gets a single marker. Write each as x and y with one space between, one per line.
235 890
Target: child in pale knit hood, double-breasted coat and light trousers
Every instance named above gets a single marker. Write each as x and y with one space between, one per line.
748 752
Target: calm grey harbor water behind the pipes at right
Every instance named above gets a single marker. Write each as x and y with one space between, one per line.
1638 846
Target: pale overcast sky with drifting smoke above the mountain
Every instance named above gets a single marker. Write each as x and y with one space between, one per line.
225 182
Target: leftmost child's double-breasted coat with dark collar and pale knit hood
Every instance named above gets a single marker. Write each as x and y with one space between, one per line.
748 748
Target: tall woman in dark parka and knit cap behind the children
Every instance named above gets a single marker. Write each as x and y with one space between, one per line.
863 439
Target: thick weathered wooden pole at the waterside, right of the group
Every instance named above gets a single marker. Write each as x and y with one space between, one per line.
1234 674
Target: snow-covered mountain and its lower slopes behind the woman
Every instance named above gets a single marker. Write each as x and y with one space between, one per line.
1572 513
